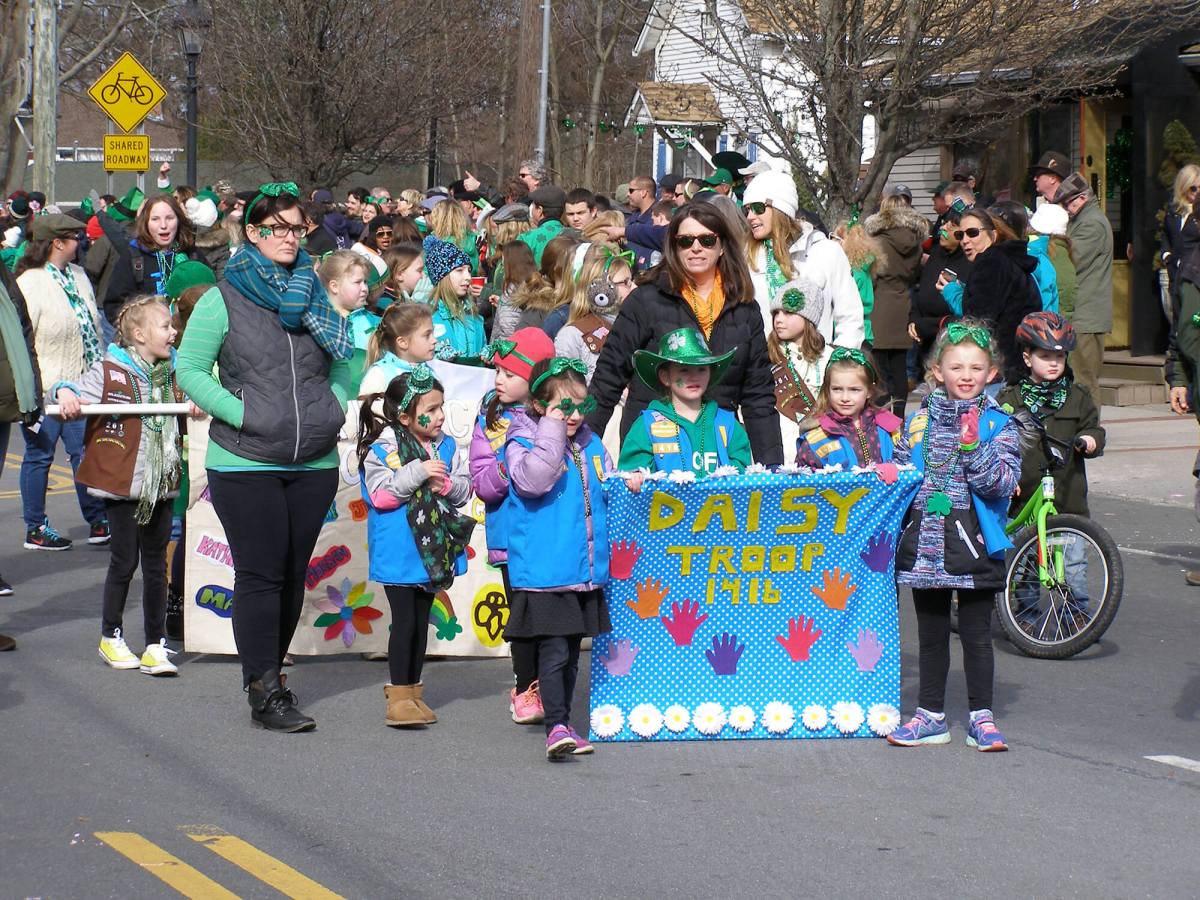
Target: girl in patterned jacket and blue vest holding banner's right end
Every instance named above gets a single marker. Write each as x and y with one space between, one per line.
953 539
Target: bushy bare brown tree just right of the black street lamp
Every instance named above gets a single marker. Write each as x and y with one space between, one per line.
320 89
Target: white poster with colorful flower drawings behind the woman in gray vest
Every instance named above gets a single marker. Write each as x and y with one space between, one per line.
345 613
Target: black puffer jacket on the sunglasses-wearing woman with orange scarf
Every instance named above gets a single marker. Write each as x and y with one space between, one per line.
656 310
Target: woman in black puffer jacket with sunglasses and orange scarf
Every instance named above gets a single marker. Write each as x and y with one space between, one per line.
709 290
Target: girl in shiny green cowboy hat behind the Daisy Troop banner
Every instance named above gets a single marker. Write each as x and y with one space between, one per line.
683 430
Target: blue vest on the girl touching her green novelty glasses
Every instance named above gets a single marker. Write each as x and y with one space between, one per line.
548 536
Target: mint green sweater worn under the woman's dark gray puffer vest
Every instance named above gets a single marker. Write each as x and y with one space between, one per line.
195 373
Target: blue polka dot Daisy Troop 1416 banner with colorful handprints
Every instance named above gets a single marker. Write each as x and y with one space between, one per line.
753 607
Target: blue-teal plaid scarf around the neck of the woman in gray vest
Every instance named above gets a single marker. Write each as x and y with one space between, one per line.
296 295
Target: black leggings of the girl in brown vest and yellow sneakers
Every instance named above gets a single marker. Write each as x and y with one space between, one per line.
131 541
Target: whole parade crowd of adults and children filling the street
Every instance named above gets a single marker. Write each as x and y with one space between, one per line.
715 323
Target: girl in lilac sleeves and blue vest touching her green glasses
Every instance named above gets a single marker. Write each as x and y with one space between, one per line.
559 541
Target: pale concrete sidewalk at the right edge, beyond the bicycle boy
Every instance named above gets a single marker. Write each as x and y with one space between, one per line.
1149 455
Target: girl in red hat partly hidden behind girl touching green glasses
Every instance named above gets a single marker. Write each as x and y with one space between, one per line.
514 363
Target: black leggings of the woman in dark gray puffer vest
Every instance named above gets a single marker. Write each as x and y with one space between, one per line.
272 521
